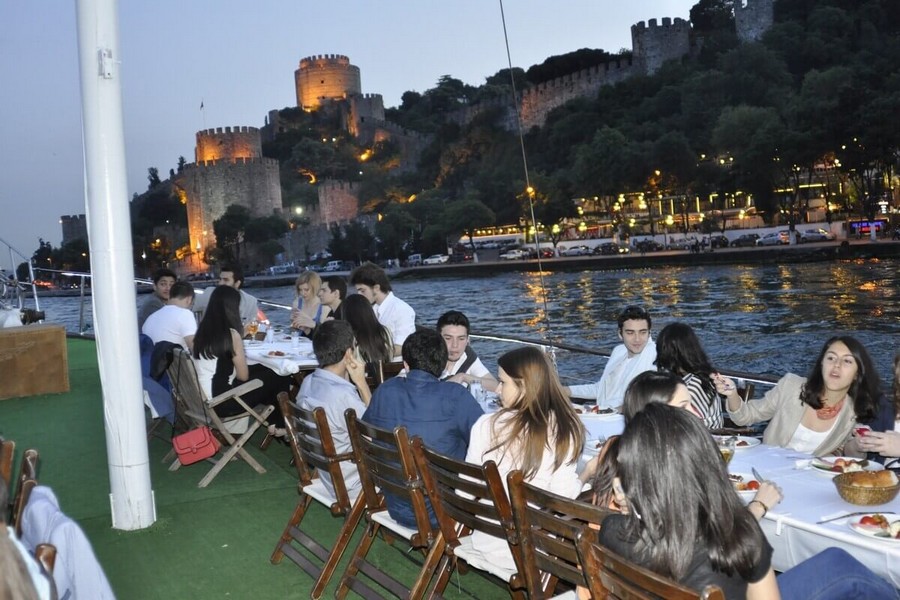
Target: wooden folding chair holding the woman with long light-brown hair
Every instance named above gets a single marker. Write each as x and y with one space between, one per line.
468 498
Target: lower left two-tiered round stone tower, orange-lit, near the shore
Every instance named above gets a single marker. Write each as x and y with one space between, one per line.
229 169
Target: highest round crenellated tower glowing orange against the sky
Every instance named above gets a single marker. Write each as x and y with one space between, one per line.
328 76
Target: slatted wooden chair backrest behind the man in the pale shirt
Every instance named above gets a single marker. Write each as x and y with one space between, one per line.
312 446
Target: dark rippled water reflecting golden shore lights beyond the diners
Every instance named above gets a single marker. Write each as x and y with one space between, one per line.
766 319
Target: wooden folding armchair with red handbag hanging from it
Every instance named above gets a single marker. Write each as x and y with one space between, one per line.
197 410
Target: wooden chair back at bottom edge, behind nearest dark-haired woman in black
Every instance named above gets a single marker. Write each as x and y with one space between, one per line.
612 576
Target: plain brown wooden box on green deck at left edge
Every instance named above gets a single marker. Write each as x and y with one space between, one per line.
33 360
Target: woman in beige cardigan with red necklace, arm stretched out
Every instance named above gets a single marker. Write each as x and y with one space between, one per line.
815 414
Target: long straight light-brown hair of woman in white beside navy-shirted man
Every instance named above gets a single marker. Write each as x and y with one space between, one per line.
542 417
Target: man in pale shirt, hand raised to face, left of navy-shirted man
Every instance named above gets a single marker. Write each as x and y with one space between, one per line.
337 385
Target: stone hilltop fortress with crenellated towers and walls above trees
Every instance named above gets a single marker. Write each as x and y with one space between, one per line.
229 166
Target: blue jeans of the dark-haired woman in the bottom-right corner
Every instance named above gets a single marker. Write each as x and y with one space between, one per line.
833 575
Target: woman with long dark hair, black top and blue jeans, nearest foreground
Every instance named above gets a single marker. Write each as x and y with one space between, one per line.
685 522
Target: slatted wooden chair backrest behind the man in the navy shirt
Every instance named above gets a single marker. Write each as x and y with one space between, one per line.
386 465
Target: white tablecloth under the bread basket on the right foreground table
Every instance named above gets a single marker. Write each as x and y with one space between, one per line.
810 496
